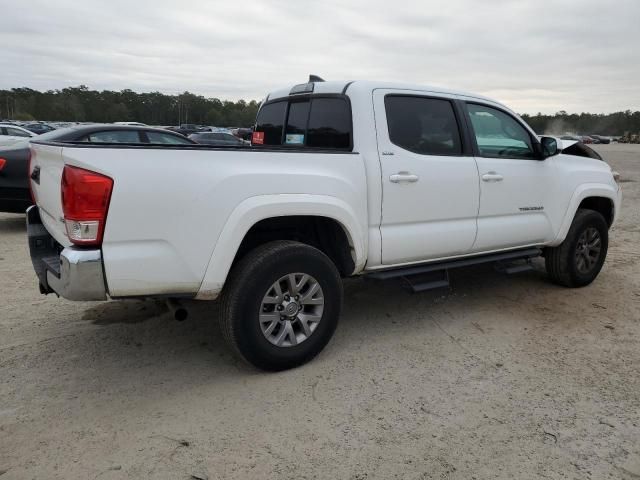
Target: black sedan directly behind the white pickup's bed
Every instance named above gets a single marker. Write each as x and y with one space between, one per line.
14 160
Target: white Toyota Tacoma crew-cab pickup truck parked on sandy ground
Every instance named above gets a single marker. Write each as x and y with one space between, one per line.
342 179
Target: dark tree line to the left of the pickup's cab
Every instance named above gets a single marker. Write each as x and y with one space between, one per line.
79 104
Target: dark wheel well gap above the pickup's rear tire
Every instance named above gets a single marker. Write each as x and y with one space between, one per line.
323 233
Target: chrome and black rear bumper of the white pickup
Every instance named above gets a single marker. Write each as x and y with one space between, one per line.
72 273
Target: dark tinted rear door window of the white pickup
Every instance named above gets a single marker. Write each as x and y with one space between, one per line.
426 126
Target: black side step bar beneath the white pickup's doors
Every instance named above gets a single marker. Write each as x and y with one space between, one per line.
436 275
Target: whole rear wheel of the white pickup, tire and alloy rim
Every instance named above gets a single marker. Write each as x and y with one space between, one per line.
281 305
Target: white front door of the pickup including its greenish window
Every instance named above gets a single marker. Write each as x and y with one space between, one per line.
515 185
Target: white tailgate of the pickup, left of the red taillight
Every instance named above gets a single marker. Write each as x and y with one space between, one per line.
46 176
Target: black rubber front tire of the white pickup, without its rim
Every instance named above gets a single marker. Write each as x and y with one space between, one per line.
563 263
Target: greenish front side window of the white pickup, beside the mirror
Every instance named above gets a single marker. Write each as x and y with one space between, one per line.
498 134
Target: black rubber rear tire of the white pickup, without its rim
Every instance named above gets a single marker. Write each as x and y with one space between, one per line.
250 280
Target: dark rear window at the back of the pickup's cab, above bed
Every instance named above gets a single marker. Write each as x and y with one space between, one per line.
323 123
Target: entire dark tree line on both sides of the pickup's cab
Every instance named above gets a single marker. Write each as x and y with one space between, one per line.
79 104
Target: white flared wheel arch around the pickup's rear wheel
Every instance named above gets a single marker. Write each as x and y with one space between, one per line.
256 213
